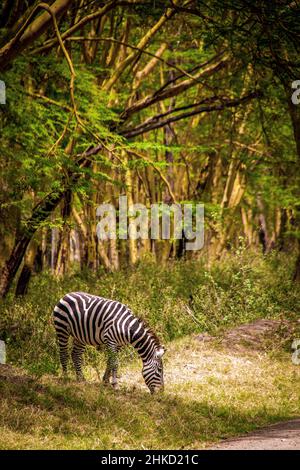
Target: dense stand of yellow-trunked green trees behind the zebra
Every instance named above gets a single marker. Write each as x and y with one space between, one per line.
120 97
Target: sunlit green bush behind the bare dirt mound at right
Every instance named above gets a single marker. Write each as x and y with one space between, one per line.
244 288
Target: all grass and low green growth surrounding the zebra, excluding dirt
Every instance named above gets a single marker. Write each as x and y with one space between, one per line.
211 393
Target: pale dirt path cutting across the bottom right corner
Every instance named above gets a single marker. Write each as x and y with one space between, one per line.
281 436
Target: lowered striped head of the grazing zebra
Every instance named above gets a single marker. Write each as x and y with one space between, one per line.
153 371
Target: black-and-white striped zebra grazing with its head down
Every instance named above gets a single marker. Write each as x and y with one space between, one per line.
93 320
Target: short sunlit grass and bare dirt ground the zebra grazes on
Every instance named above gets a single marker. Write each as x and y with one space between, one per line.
216 389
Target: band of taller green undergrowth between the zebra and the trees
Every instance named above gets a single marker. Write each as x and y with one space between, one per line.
177 299
